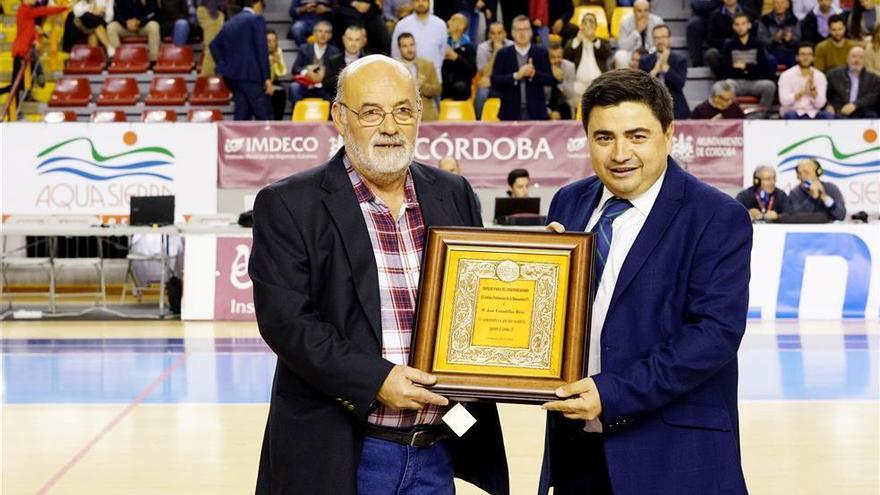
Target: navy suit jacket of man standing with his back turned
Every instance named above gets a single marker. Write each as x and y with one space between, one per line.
240 50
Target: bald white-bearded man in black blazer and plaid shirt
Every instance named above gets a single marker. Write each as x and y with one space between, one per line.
335 266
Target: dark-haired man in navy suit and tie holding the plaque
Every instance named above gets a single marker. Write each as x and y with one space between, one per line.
657 413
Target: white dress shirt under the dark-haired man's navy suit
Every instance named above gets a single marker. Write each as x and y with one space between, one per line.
625 229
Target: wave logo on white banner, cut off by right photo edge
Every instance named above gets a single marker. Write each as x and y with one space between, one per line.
837 164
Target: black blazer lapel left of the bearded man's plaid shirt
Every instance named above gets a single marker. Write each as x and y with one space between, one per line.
345 211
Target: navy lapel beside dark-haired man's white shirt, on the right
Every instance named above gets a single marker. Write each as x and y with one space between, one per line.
665 208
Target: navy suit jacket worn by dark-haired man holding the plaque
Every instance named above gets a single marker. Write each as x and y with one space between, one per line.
668 382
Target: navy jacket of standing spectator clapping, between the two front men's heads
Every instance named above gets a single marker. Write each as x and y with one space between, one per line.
503 82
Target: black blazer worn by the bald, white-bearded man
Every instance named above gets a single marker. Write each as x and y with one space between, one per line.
316 294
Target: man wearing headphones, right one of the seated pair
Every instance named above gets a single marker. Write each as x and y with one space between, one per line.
812 195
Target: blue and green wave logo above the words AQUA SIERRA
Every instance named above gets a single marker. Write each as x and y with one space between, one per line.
140 162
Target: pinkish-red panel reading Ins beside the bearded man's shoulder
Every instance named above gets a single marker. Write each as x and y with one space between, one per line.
233 289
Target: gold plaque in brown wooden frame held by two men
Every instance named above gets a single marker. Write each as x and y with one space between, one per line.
503 314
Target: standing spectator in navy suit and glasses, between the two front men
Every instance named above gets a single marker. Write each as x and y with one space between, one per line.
520 73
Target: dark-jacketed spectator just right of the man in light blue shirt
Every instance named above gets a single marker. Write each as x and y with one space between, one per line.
459 61
